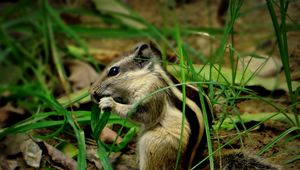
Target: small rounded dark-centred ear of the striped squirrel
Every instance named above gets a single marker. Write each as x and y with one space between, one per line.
145 53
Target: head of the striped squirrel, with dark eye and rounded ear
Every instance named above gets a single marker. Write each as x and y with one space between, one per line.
123 76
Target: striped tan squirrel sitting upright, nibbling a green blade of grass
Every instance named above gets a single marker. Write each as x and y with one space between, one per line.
136 78
